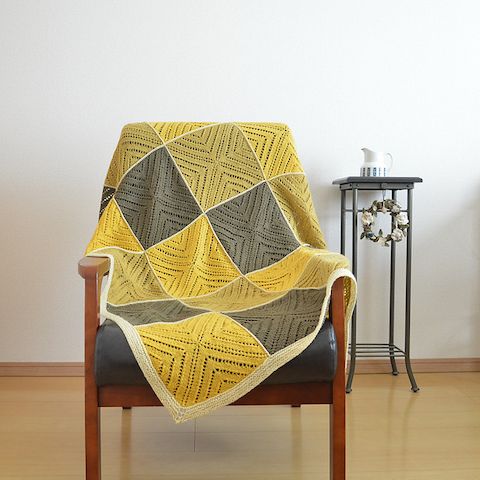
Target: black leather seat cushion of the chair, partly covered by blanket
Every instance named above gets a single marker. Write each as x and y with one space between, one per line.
116 365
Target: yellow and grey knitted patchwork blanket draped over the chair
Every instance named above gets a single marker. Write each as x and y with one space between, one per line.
219 270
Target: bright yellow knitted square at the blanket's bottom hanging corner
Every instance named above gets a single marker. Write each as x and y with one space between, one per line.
202 357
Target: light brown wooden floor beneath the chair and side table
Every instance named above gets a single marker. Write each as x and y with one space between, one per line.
392 434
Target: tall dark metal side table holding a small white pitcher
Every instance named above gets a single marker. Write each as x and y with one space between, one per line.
376 350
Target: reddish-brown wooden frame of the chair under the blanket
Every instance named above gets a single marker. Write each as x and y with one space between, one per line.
333 392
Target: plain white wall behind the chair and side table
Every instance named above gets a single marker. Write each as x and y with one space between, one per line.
397 76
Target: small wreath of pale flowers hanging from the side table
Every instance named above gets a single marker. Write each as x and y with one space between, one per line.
400 222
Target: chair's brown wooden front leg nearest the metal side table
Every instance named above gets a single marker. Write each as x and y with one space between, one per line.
337 408
